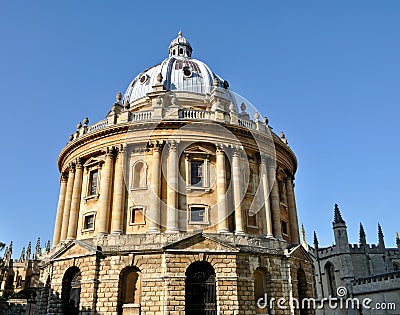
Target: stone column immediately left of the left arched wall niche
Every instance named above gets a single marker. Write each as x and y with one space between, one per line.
118 204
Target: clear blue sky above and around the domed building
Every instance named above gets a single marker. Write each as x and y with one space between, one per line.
325 72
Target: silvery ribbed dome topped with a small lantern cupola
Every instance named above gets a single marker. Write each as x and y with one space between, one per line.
180 73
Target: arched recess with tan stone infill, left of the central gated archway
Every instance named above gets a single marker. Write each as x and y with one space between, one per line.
130 290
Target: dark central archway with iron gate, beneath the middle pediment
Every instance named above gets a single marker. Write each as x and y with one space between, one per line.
200 293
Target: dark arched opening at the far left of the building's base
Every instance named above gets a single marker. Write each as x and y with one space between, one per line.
71 290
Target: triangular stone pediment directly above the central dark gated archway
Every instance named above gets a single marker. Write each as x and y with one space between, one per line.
202 242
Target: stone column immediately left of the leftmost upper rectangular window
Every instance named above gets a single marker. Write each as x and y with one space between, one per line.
75 203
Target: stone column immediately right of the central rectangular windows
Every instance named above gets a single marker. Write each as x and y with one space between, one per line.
221 192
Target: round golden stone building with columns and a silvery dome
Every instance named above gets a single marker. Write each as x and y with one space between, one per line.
178 202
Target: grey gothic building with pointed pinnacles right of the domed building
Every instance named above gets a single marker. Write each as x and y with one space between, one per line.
358 271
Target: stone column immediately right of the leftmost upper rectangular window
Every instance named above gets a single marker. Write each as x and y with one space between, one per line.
102 217
